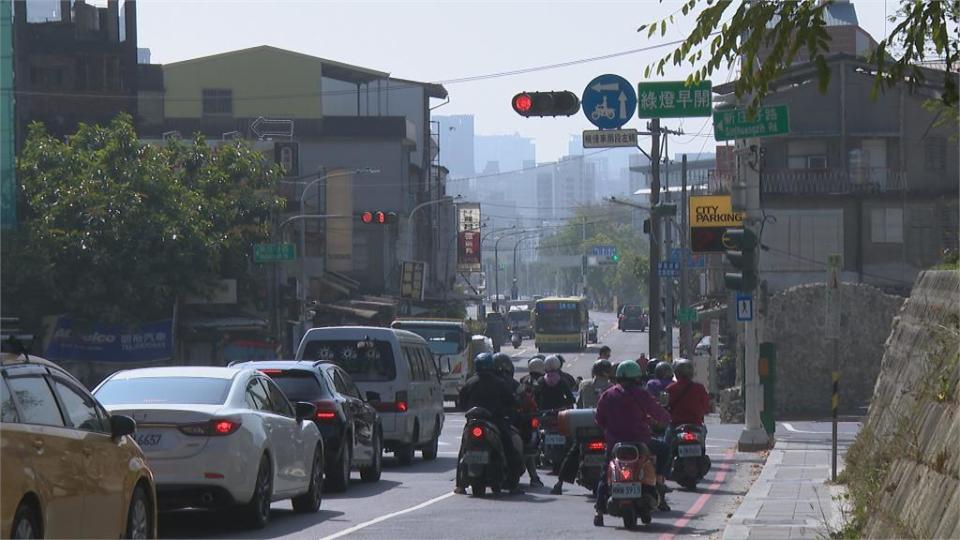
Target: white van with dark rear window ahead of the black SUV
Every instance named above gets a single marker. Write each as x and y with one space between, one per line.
396 372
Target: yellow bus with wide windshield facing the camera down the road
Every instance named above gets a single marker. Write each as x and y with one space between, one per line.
561 323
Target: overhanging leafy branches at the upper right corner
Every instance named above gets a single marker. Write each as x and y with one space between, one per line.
925 28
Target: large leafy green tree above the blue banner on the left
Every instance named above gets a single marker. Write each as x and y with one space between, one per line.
116 230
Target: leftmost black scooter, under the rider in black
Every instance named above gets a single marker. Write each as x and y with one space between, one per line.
483 461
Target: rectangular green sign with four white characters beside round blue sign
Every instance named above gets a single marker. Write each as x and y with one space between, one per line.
674 99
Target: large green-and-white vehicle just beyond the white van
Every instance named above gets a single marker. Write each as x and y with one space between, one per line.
454 347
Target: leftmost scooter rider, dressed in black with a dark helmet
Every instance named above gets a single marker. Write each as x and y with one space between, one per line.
487 389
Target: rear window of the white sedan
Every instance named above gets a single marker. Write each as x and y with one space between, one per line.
160 390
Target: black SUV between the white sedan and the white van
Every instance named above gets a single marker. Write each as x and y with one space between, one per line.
352 435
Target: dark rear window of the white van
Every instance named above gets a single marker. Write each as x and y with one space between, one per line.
373 363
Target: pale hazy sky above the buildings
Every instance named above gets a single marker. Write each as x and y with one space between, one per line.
449 39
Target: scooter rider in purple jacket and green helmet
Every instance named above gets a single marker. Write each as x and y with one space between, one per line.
624 412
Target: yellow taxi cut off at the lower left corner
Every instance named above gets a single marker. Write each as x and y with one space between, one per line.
68 469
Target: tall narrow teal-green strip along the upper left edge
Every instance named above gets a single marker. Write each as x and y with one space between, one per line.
8 183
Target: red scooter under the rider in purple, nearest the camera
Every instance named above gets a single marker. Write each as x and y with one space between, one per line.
632 479
